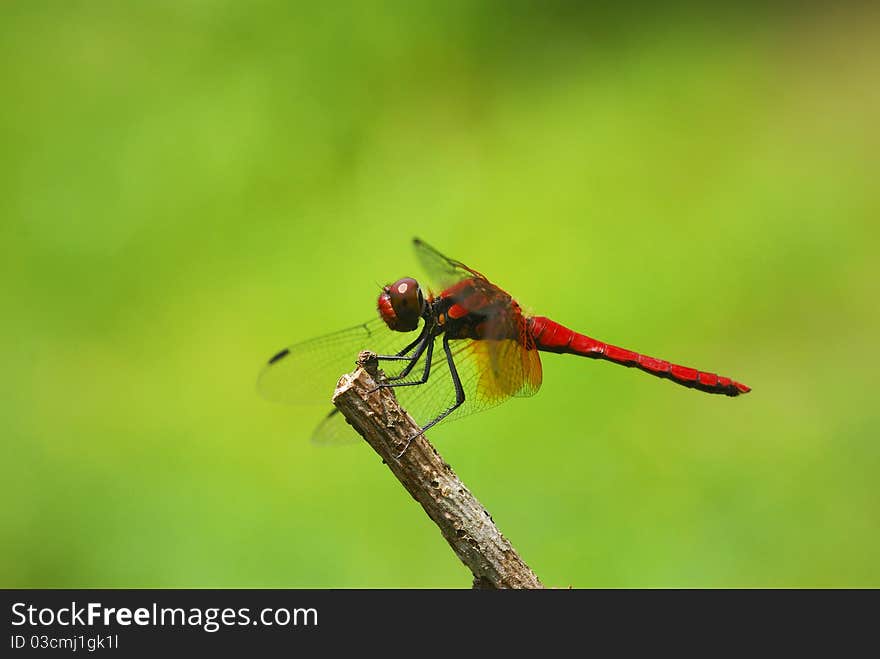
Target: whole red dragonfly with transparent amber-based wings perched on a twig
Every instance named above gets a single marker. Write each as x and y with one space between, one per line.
489 350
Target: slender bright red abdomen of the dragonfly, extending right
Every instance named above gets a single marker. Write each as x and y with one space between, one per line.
550 336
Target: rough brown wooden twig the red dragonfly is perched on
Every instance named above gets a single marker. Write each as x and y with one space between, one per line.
463 521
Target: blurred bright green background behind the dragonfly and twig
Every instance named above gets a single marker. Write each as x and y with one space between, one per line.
184 185
